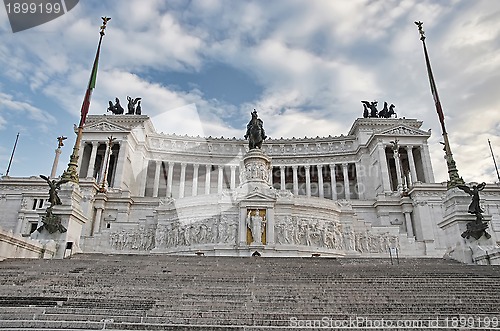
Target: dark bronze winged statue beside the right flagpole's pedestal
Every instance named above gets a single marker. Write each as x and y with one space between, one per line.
478 227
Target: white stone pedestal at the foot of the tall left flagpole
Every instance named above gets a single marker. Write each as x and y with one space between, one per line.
72 219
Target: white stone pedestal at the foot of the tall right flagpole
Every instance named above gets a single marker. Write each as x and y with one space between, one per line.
466 250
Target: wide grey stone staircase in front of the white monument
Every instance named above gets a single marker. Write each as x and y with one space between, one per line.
155 292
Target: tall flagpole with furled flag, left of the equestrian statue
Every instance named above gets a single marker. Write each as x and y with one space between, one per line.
71 172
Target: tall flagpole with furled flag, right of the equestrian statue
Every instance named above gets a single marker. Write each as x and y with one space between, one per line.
455 178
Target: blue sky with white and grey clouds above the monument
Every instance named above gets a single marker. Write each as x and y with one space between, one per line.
305 66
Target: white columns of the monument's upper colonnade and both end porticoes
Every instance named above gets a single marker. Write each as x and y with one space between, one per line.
398 168
